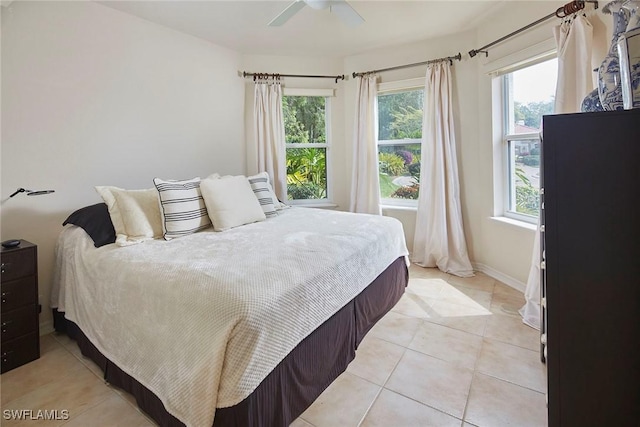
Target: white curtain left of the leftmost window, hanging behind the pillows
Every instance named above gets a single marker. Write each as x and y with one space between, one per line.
269 132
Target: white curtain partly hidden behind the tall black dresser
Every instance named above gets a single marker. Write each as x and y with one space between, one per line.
575 81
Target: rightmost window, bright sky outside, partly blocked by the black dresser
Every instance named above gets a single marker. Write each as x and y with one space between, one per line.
528 94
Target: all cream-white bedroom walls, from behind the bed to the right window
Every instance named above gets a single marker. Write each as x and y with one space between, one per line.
92 96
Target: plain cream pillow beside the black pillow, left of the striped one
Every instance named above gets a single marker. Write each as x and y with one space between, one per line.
135 214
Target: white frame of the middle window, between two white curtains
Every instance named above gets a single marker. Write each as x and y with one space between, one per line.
389 88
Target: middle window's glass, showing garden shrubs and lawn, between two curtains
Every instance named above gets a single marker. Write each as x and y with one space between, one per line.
399 145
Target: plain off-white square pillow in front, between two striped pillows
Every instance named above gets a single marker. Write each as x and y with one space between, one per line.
230 202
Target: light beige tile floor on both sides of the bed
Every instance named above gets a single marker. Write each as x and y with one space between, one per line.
452 352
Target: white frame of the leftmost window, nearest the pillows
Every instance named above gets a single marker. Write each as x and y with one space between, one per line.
327 94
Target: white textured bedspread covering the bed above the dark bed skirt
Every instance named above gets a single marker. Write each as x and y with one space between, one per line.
203 319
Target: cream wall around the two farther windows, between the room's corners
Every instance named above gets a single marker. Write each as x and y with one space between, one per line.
465 92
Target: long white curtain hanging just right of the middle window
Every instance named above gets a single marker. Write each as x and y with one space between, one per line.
439 235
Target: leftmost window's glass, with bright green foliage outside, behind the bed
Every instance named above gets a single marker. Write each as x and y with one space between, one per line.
306 127
